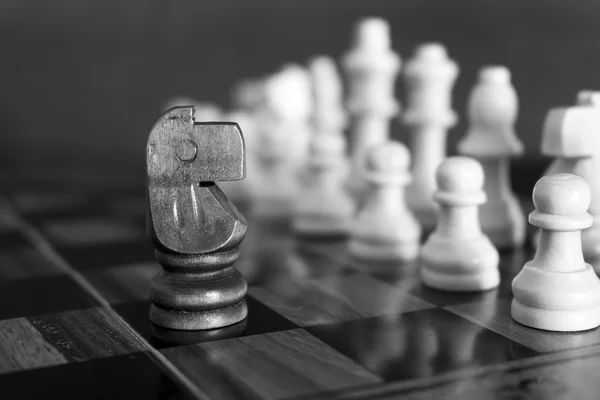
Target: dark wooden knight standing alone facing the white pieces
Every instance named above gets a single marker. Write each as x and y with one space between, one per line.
195 229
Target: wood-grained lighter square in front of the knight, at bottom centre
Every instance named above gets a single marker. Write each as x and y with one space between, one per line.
270 366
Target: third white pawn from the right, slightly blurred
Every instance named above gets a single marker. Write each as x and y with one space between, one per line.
385 229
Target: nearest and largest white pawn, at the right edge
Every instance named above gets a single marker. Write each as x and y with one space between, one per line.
557 290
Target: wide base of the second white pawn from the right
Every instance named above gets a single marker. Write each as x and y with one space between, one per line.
460 266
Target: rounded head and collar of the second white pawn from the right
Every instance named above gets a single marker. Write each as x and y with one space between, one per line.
460 182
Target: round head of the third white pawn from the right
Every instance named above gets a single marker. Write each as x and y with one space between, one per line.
389 161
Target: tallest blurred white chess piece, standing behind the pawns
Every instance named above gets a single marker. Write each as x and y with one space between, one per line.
371 69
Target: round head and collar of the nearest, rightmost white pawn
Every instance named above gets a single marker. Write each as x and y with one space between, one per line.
561 203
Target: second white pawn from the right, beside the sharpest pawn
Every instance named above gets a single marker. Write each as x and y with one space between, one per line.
458 256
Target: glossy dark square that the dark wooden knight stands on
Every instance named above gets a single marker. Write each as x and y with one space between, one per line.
261 319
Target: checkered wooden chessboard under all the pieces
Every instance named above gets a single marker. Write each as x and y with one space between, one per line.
75 267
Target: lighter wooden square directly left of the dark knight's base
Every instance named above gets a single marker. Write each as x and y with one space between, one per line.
124 283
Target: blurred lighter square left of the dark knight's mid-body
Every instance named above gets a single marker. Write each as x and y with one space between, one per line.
91 230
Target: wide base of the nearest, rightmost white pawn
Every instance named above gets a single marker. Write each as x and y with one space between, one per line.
556 301
